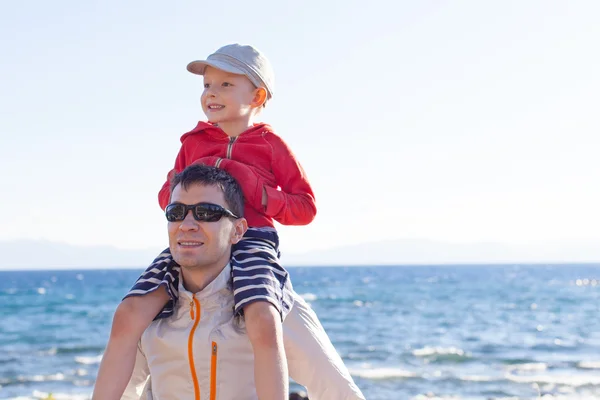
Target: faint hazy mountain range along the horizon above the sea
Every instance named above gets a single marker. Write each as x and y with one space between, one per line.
37 254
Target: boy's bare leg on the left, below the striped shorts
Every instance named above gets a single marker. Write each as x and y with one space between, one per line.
131 319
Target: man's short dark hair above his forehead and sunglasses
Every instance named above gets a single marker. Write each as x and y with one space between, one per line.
212 176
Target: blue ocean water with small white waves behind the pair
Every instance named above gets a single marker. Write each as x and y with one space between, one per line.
422 332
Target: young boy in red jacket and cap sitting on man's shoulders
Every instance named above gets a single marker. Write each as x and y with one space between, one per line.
238 81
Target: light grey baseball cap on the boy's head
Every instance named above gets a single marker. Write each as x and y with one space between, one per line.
242 60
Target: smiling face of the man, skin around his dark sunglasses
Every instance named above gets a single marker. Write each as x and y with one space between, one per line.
202 245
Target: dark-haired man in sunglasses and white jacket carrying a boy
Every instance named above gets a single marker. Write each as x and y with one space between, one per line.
202 351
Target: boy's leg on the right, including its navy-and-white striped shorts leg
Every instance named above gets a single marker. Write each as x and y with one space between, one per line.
258 283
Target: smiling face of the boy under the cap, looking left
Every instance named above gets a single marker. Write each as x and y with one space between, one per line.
227 97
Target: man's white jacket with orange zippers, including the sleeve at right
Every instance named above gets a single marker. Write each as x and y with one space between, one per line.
202 352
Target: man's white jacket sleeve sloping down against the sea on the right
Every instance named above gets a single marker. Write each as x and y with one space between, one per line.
312 360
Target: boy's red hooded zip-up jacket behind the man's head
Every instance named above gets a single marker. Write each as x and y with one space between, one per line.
257 159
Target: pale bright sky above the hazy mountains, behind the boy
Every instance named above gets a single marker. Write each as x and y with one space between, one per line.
458 121
